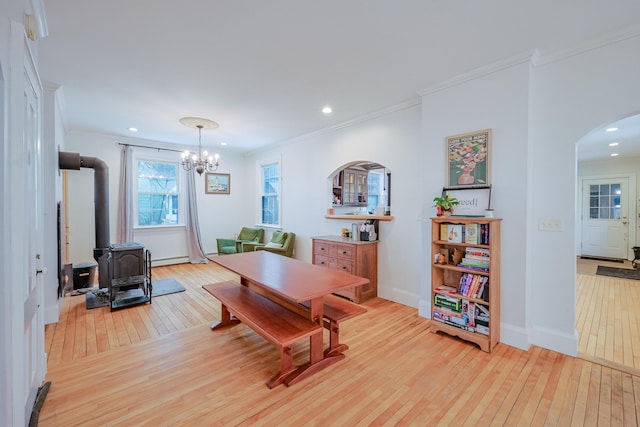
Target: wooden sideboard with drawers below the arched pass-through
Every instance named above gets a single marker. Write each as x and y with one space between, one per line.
351 256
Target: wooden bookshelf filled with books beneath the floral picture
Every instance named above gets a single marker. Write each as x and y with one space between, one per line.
465 279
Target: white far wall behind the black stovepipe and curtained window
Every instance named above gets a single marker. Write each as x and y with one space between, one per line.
220 215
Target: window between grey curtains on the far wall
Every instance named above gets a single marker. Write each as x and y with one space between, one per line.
158 195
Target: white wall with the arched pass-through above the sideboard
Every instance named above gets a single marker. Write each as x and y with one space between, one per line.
391 140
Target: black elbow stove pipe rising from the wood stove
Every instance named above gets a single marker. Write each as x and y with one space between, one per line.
100 194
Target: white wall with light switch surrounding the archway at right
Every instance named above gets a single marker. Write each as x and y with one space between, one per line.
570 97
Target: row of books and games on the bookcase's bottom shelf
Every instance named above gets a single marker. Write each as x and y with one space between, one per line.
464 314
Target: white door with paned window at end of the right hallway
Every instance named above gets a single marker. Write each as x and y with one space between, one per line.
605 218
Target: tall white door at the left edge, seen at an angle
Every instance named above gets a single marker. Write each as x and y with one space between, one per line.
27 358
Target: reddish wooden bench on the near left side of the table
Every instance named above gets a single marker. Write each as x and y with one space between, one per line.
275 323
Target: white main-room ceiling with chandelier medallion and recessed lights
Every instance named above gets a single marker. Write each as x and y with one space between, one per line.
264 69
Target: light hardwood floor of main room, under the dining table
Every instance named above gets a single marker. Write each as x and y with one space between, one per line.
160 364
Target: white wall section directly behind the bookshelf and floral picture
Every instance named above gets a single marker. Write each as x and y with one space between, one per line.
498 101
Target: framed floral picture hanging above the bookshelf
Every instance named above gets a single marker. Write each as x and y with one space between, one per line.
468 159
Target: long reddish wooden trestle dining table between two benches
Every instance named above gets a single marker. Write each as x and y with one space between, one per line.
290 283
